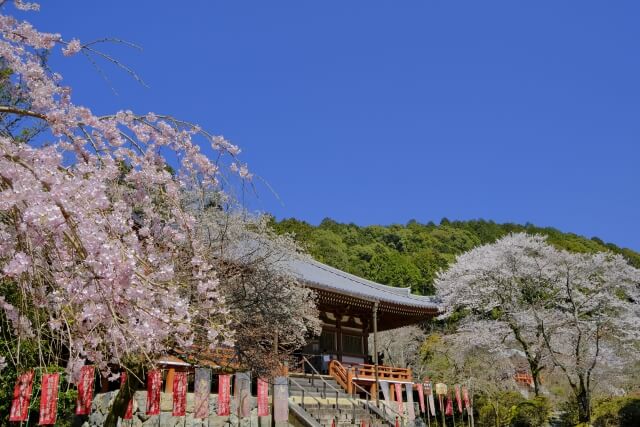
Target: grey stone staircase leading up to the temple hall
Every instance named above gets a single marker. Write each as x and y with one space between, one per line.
325 402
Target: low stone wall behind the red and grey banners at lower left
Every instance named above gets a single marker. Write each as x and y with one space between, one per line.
102 402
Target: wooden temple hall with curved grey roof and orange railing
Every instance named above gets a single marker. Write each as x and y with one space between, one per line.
352 309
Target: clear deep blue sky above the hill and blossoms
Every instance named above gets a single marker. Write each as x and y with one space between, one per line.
378 112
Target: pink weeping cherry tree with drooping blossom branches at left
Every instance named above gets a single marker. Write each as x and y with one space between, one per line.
94 230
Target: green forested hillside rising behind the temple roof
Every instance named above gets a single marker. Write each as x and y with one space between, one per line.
412 254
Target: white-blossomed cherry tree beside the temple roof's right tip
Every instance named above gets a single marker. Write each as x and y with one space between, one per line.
503 284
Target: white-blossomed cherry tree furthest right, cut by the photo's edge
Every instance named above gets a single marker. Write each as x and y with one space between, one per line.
591 326
